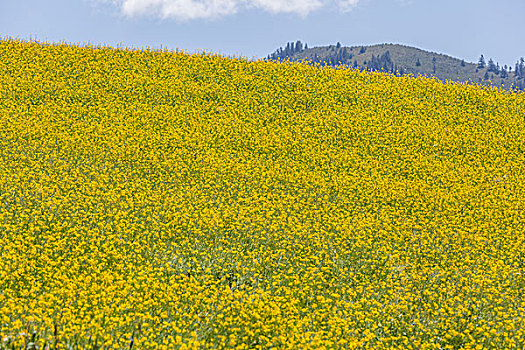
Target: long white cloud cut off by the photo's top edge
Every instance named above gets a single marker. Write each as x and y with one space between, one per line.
194 9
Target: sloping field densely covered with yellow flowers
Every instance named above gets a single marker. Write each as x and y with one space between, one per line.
155 199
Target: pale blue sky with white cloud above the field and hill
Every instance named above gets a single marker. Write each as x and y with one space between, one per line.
254 28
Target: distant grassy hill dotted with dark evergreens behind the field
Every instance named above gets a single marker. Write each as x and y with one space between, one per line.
403 60
